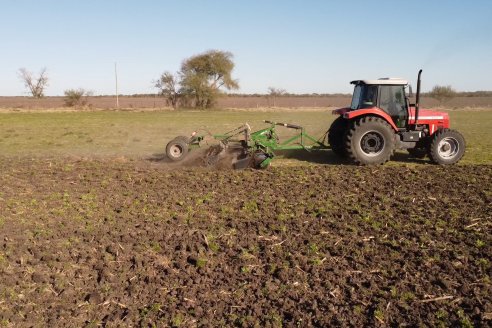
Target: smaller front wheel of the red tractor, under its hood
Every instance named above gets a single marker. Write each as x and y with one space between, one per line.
447 147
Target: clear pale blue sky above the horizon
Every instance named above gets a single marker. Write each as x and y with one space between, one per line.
301 46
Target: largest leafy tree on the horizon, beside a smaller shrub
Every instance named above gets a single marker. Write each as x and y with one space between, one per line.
204 76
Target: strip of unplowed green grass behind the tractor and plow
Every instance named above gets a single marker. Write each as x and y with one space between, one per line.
145 134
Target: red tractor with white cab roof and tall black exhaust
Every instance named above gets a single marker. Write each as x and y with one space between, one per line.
381 120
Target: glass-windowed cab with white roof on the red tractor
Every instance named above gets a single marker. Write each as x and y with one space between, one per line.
387 94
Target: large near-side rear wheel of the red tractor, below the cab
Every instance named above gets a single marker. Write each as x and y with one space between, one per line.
370 141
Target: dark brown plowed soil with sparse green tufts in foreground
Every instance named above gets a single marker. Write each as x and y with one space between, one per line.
102 242
